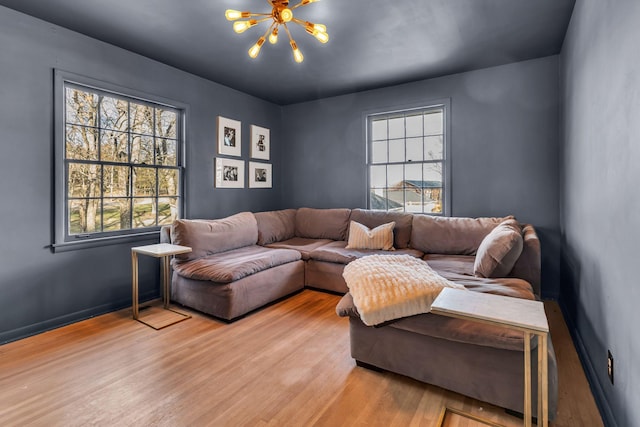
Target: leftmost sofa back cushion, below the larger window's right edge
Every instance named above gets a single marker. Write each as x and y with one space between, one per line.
208 237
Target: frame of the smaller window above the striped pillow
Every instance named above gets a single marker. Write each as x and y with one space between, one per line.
442 104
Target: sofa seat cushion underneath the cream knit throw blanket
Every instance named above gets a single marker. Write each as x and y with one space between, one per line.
464 331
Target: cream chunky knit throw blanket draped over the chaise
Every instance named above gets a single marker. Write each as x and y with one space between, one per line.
388 287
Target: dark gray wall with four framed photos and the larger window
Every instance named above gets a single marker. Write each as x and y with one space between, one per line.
39 289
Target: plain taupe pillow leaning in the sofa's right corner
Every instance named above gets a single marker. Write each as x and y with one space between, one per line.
499 250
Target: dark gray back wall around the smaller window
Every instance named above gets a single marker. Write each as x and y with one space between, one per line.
504 147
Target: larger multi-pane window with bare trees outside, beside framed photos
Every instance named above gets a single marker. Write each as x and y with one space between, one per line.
121 164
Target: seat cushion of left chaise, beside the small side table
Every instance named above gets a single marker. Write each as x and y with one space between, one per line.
227 267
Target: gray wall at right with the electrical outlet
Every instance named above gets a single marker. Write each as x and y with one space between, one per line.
600 202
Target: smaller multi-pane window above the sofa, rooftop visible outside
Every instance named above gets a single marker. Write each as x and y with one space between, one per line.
407 160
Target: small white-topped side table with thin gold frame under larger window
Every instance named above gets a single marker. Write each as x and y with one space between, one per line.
156 317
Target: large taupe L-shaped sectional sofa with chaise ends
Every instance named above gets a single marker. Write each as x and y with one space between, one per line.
248 260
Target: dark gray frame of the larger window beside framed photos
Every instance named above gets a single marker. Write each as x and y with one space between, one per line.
63 240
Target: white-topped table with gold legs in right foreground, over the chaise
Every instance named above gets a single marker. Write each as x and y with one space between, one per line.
514 313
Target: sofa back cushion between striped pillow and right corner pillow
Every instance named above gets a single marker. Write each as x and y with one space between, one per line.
450 235
